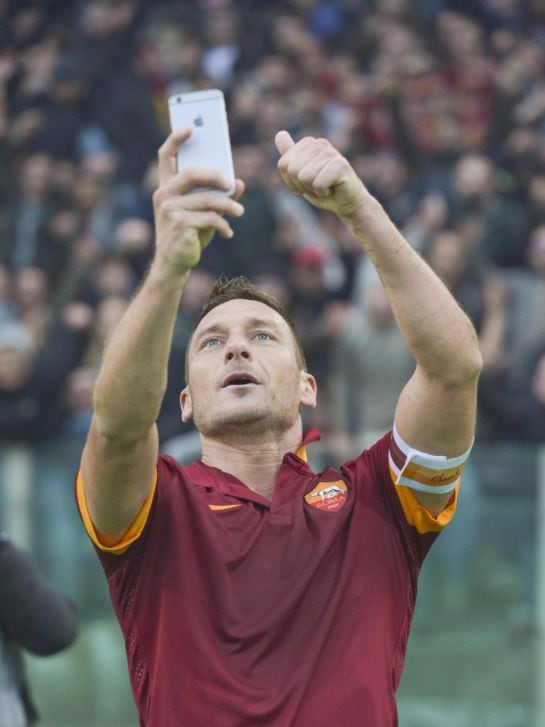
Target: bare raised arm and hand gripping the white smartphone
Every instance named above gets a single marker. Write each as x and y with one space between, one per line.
120 454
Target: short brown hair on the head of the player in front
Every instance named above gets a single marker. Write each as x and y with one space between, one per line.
226 289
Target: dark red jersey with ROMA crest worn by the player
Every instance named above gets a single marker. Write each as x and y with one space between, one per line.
240 612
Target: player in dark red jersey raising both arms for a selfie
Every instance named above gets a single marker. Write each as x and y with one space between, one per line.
250 590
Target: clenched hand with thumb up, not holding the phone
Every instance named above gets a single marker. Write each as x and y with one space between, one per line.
312 168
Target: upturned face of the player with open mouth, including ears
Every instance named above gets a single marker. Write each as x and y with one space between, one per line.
243 372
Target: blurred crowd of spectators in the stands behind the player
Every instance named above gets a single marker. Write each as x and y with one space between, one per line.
439 105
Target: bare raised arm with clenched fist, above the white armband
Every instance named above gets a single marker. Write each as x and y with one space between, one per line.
437 407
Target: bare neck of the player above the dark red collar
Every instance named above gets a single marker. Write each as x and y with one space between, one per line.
252 458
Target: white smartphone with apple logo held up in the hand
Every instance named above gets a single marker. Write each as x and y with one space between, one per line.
209 144
